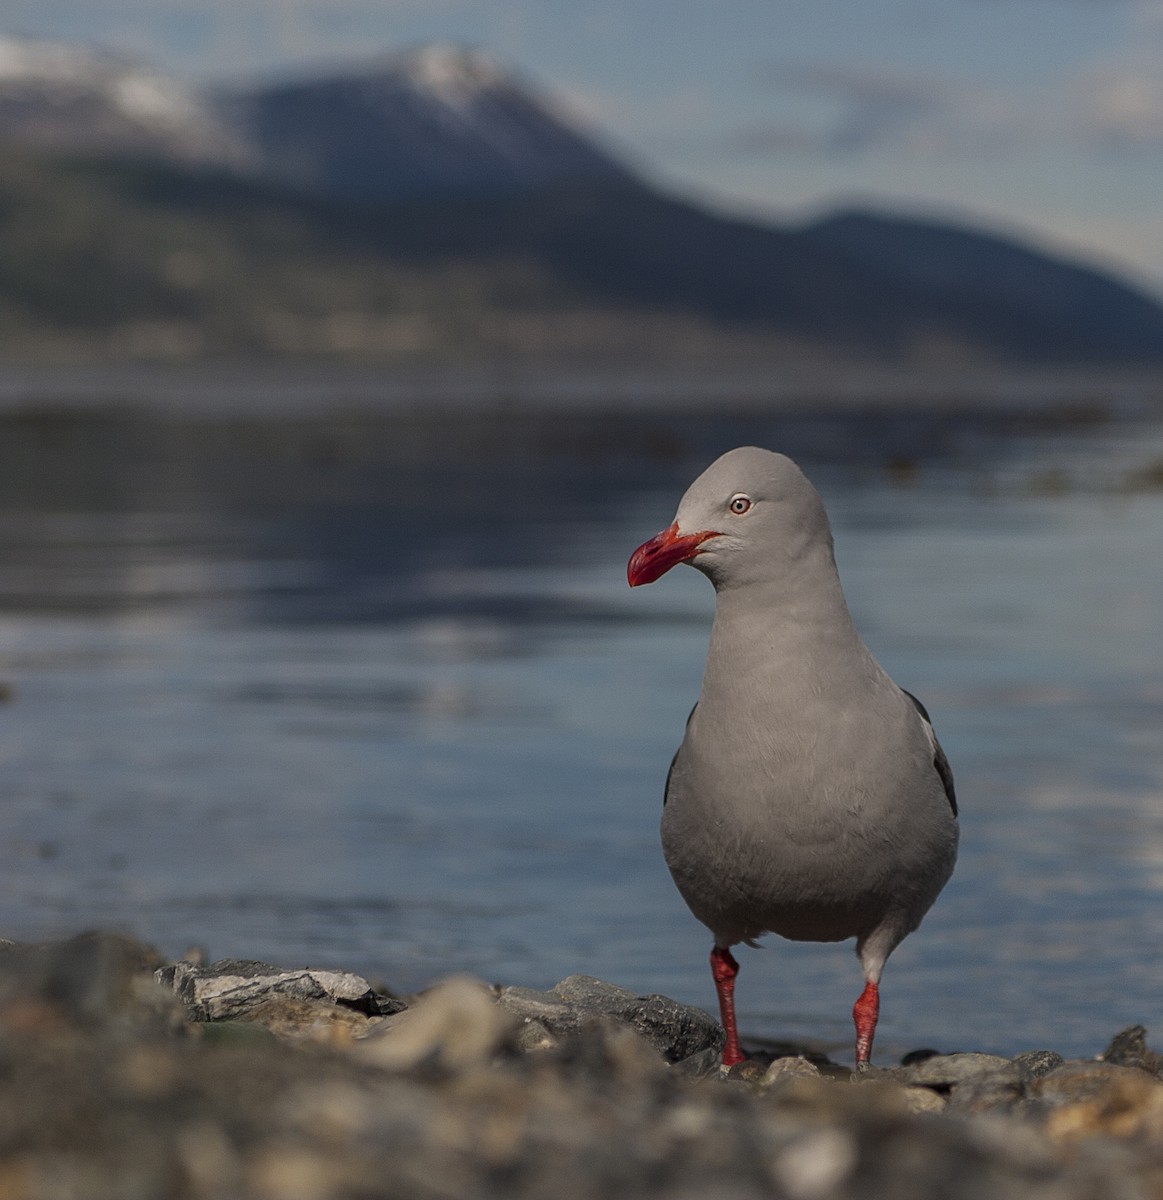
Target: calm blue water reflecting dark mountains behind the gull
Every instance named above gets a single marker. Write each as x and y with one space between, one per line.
374 693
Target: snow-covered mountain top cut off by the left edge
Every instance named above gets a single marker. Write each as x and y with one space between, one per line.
71 99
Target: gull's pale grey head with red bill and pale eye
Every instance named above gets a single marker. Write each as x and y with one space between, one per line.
750 517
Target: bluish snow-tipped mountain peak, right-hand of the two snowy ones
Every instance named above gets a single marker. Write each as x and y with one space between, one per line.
440 121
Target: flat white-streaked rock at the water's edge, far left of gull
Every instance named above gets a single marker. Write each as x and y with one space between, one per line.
242 991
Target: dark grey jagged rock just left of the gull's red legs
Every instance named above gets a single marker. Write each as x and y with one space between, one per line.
678 1031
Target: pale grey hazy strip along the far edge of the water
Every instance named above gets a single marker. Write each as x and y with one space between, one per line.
289 389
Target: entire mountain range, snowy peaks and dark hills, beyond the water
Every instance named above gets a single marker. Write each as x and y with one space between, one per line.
430 207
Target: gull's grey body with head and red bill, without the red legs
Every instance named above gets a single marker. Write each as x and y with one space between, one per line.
810 797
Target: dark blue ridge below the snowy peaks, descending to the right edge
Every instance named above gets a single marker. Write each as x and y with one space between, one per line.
856 285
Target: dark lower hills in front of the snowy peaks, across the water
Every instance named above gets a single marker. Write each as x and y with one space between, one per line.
157 261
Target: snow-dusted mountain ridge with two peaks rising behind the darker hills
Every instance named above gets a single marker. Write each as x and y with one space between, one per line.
439 121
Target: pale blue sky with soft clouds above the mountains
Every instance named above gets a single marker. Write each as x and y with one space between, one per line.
1042 118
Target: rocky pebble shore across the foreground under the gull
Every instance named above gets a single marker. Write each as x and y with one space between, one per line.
128 1078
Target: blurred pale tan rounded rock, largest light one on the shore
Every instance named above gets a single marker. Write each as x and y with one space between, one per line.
454 1028
